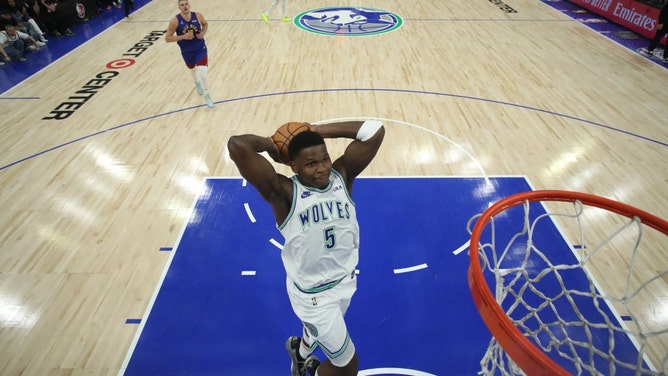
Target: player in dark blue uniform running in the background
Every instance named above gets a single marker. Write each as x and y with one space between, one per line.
188 29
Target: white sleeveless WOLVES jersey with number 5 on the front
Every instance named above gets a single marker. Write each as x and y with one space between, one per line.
321 235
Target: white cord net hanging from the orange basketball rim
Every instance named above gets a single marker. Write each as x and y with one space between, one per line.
628 258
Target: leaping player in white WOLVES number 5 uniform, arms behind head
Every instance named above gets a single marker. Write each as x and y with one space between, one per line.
316 215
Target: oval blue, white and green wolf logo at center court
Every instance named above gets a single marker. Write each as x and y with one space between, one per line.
352 21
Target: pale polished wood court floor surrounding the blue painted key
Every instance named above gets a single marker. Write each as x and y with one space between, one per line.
466 90
